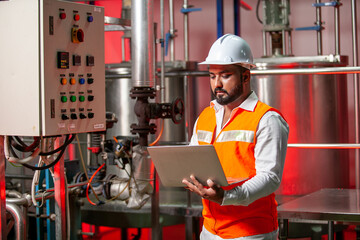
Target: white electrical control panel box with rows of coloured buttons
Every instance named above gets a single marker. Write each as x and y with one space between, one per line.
52 71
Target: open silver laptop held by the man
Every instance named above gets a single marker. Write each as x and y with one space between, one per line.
174 163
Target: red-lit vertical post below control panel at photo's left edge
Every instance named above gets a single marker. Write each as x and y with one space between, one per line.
3 225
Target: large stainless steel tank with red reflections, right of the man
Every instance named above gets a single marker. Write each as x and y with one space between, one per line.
315 107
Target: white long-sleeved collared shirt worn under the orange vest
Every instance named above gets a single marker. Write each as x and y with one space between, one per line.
270 151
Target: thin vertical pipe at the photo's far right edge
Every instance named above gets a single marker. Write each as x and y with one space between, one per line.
356 91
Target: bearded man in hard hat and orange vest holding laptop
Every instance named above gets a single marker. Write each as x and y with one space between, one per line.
250 139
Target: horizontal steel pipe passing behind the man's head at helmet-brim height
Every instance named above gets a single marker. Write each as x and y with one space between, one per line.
329 70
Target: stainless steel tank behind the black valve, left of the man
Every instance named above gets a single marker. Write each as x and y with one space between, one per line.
118 101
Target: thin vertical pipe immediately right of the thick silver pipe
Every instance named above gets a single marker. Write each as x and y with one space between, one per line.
162 37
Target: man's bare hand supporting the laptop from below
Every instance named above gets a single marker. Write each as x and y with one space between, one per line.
213 193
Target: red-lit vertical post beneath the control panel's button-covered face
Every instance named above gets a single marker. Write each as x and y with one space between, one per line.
60 200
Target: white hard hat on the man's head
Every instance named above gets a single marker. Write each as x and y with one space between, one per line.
230 49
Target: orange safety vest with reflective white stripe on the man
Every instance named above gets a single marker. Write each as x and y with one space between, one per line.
235 147
